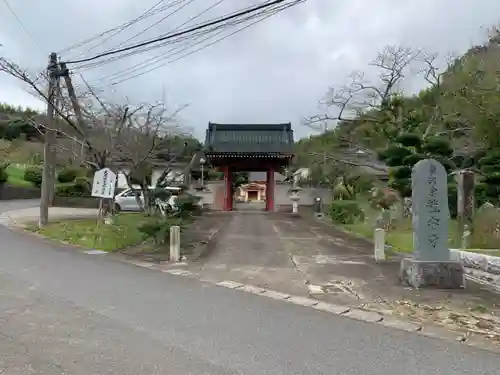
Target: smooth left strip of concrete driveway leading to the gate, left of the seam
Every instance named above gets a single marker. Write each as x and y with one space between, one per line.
250 251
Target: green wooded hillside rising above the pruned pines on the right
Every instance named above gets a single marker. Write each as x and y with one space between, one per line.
461 104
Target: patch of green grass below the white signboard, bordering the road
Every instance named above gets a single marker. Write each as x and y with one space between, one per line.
122 233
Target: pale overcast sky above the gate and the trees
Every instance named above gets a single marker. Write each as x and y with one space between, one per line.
273 72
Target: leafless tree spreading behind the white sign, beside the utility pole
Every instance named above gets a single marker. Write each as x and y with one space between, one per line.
126 138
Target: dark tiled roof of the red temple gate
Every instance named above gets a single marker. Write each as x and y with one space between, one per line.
249 138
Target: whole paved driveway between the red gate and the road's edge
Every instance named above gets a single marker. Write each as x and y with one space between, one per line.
285 253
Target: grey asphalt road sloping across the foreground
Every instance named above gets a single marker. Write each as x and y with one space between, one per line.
63 312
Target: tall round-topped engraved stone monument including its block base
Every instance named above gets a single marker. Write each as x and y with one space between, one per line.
431 264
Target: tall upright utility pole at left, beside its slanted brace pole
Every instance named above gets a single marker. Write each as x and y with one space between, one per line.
48 177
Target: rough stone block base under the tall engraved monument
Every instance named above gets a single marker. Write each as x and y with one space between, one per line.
439 275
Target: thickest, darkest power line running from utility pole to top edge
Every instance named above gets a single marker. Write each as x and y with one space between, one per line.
200 27
